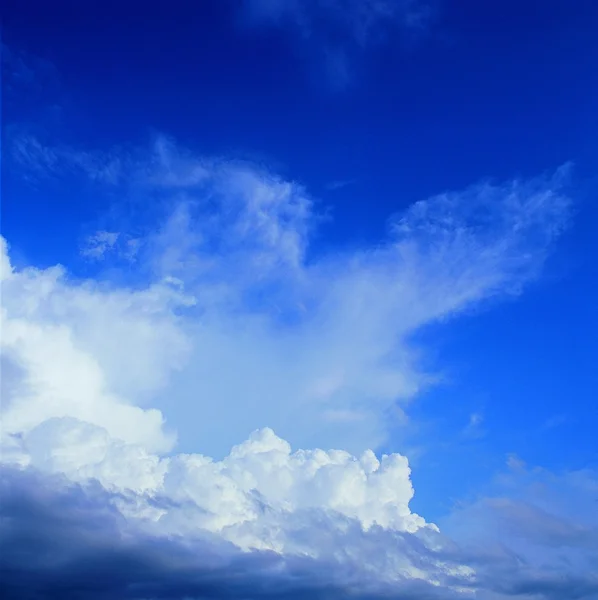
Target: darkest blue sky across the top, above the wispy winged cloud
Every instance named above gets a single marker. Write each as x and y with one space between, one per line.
493 89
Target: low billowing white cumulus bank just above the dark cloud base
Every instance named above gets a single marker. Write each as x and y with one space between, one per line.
325 505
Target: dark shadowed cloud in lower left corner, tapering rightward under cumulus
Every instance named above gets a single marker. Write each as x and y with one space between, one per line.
64 541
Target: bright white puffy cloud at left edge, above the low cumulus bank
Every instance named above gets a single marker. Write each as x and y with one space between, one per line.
86 352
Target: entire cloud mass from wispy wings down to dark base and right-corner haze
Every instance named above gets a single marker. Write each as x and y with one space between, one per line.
230 328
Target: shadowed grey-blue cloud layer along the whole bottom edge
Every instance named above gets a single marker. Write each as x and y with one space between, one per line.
67 541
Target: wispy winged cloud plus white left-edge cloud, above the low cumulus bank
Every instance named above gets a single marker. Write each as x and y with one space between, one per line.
226 282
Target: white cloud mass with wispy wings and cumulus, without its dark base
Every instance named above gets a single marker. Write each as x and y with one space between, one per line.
241 328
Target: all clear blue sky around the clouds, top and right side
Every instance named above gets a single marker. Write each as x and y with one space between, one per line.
490 89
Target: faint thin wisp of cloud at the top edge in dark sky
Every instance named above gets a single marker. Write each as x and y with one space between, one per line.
337 32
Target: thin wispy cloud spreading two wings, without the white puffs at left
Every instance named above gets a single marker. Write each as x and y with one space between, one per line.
329 334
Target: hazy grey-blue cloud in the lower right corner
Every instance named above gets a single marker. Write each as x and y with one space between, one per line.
532 533
